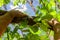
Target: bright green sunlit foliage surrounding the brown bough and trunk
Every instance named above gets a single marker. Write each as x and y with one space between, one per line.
46 11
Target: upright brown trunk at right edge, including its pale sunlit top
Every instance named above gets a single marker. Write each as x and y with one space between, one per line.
56 28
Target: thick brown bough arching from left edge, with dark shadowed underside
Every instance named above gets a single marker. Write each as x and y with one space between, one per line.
11 16
